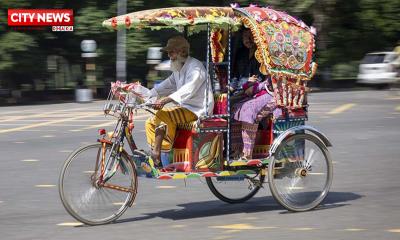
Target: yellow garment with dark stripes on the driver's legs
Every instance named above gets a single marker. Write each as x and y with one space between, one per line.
169 117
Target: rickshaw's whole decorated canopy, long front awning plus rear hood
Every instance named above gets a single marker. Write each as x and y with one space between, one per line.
285 45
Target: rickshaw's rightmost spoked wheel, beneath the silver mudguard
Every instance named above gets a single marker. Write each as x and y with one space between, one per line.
300 172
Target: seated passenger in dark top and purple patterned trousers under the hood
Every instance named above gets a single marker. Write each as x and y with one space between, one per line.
257 104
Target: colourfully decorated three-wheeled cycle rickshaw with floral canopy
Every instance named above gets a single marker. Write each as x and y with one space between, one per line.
99 181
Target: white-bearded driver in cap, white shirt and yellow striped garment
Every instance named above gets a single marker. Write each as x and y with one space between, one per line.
186 87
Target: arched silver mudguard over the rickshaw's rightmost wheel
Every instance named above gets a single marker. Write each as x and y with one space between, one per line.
292 131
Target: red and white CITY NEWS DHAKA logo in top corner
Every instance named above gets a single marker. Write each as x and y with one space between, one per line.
58 19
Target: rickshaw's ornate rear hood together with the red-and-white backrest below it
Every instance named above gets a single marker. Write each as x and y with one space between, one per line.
285 47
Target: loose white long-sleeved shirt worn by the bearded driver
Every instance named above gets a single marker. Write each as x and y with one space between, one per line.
188 87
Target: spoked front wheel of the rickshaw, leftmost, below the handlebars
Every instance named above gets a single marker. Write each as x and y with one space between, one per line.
84 192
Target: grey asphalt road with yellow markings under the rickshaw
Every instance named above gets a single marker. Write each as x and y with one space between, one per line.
364 201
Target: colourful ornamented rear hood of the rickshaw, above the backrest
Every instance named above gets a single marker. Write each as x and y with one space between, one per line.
284 44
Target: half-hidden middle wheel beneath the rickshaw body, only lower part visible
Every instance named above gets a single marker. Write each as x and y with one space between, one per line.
235 189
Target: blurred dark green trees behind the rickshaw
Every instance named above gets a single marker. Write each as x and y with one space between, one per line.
347 29
